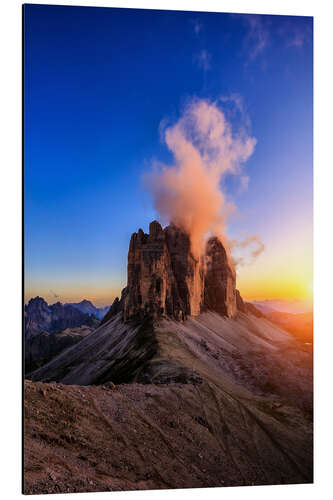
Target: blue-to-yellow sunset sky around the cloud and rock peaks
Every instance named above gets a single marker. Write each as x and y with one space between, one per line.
98 83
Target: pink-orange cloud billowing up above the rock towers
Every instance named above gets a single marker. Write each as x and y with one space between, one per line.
205 149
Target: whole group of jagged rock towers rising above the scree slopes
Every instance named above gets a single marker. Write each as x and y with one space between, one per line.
165 279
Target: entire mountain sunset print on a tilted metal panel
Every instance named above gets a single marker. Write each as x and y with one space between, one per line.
168 320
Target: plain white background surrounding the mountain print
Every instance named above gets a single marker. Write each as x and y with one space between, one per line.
10 246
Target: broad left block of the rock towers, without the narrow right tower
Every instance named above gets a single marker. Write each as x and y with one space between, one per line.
163 276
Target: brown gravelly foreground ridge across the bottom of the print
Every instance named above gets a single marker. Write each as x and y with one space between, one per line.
128 437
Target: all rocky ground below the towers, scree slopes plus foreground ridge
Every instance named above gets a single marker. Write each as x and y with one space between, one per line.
212 409
